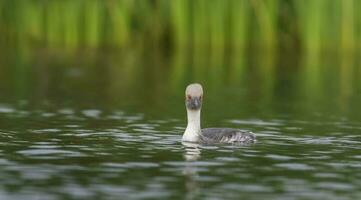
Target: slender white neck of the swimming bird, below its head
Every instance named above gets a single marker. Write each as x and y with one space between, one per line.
193 129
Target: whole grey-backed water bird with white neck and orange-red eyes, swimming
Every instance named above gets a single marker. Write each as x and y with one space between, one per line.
194 133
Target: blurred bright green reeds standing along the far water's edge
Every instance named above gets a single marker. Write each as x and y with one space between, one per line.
207 26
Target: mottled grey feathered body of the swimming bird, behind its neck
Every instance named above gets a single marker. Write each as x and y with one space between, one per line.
226 135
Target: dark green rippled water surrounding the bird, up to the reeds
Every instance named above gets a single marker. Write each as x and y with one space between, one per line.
106 127
